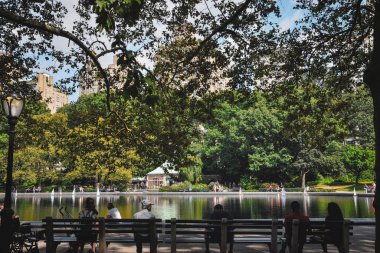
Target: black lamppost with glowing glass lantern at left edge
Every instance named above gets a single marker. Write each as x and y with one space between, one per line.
13 105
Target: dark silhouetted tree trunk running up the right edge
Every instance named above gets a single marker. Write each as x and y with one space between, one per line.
372 79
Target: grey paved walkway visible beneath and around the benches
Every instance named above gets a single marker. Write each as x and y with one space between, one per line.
363 241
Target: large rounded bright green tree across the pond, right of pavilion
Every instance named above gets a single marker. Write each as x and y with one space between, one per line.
243 140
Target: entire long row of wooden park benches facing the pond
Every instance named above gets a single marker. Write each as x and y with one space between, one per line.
174 232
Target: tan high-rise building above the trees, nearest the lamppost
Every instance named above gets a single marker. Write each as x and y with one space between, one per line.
52 96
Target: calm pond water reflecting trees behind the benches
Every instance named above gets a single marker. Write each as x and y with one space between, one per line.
185 206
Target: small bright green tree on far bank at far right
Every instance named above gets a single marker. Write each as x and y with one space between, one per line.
357 160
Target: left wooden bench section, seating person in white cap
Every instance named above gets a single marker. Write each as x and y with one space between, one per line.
107 230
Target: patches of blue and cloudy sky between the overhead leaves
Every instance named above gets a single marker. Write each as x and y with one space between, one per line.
286 21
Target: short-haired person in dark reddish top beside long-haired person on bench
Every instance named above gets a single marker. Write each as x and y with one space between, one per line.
304 226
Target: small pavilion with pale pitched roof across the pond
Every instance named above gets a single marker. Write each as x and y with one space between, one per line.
158 177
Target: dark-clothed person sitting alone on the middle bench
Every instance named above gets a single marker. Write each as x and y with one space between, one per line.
215 234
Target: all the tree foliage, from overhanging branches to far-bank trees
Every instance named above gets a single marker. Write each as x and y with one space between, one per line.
279 138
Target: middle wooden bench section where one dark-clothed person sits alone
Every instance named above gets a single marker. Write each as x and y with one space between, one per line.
269 232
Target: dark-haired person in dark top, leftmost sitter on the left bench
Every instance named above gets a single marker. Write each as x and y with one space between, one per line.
87 233
